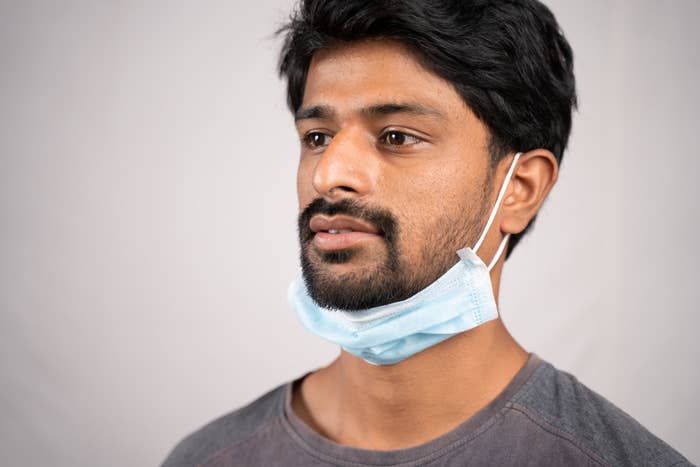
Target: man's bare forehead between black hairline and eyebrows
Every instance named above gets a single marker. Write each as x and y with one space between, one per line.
366 73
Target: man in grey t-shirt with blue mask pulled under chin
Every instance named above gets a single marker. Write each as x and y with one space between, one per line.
431 133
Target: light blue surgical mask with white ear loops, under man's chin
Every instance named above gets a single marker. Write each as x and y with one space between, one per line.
459 300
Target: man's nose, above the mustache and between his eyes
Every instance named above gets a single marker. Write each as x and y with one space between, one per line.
348 167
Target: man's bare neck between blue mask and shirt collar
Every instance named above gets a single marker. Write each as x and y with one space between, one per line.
375 407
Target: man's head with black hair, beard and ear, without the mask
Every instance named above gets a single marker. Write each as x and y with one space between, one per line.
407 112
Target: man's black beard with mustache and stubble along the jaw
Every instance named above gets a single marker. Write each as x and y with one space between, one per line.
393 278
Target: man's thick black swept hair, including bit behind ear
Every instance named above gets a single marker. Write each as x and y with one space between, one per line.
508 60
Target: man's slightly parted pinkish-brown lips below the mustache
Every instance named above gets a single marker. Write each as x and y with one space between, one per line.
340 232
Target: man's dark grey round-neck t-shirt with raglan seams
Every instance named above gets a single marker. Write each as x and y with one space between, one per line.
544 417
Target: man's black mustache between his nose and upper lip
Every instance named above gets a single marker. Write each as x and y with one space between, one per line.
381 219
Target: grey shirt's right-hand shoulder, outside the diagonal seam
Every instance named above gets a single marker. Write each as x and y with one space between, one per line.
560 403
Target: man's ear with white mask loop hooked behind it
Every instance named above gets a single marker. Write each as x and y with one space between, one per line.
533 178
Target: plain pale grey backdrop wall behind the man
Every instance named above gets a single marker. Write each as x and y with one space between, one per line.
147 210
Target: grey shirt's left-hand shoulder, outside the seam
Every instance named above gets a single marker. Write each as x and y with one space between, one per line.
227 430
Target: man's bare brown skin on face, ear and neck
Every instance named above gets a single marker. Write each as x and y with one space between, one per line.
434 174
